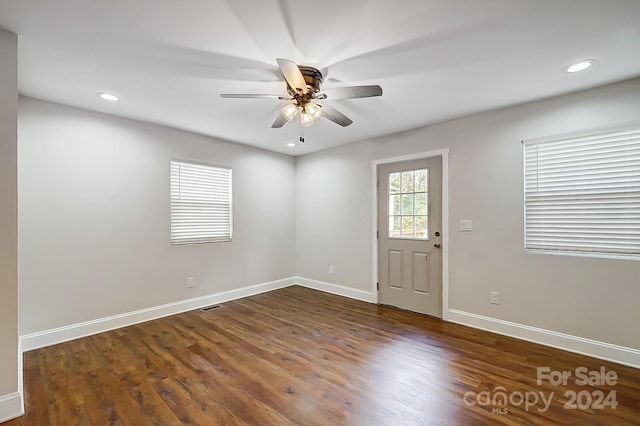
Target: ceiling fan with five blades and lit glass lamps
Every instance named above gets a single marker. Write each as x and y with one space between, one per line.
303 87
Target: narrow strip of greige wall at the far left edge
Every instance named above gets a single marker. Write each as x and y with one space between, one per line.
10 402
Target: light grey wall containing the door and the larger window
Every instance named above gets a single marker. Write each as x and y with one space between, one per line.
591 298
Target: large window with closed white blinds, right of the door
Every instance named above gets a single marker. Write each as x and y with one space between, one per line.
582 192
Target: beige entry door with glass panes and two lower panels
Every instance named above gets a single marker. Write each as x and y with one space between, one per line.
410 235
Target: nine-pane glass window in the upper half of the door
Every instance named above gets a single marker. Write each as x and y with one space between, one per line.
408 204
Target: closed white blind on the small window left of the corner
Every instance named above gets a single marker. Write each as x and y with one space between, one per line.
200 203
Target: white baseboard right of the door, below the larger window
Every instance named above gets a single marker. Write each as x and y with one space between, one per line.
593 348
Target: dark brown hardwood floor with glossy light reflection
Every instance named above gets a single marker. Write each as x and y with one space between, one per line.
301 357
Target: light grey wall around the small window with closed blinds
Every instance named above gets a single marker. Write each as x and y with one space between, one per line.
94 217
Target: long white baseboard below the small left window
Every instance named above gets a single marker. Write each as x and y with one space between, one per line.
75 331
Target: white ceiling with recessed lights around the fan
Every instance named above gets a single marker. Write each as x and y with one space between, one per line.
435 59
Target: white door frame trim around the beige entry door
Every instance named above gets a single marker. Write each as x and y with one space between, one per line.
444 154
